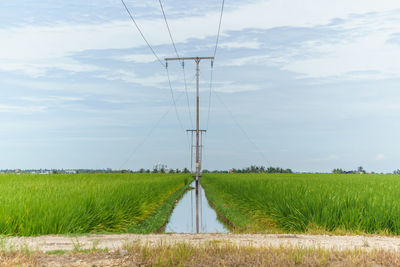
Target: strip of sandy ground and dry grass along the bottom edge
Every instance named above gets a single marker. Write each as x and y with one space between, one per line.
200 250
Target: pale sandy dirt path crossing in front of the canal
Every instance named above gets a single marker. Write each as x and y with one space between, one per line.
115 242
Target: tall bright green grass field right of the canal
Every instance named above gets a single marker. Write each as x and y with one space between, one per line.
304 202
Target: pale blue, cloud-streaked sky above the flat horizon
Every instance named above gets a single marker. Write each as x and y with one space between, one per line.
310 85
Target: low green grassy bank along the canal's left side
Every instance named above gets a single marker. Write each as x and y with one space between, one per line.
157 222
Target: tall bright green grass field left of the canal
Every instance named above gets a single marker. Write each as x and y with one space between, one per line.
83 203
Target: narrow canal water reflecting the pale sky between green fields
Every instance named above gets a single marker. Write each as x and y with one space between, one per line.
183 218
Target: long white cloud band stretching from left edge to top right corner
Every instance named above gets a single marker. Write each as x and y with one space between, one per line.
40 42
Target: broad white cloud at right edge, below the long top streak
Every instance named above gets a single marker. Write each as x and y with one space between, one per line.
363 52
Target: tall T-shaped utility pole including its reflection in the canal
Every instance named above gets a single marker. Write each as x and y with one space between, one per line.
197 130
